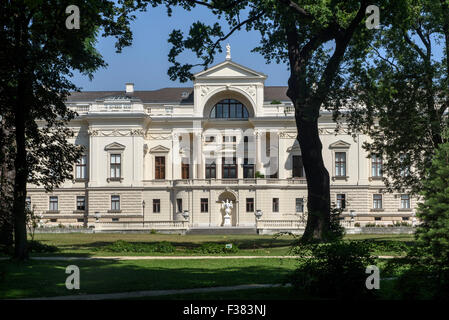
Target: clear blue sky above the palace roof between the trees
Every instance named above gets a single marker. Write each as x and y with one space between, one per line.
145 62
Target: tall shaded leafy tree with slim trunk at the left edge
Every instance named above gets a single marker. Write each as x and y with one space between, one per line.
38 54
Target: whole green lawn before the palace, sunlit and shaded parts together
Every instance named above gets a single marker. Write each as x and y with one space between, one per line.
37 278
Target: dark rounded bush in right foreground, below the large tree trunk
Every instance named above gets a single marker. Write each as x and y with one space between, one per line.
334 270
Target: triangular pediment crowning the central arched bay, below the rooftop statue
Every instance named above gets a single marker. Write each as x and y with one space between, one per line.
229 69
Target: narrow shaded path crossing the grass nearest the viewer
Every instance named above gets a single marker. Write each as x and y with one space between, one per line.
155 293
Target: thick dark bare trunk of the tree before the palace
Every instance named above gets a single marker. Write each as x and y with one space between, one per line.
318 186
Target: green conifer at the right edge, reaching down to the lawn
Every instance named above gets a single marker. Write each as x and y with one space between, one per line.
428 276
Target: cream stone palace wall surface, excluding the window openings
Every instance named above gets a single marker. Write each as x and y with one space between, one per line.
140 132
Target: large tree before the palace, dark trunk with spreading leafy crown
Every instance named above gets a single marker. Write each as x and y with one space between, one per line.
316 39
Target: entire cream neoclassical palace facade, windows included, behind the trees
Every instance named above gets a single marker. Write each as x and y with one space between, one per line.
168 158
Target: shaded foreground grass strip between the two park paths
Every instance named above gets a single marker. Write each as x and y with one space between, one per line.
47 278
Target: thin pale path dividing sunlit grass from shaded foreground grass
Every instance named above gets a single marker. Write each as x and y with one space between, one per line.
63 258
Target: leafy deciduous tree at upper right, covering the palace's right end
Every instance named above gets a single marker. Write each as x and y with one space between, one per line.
403 84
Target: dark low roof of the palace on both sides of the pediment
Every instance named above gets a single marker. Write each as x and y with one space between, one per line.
182 95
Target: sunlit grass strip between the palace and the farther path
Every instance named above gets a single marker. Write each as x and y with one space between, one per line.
80 244
